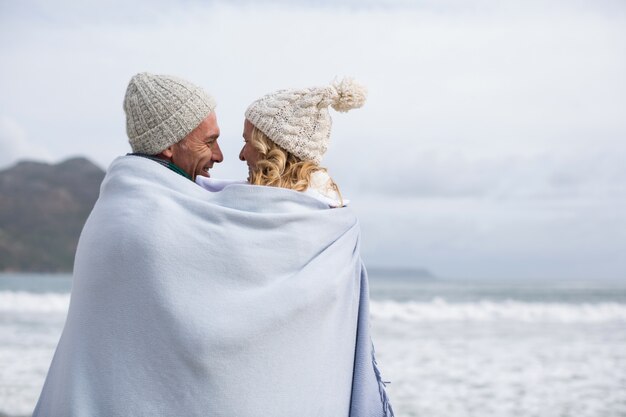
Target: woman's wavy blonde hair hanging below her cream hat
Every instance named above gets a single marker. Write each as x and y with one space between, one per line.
277 167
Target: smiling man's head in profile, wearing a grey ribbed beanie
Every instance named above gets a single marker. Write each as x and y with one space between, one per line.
172 122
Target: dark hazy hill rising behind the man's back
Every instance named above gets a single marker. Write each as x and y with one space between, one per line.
42 211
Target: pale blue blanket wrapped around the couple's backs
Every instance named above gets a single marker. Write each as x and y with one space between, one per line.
241 302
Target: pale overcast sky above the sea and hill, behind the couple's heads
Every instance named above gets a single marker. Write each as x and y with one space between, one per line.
492 145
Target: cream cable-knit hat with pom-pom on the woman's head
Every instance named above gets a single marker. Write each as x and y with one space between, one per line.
298 120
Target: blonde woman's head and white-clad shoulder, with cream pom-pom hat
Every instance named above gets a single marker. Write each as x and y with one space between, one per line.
287 133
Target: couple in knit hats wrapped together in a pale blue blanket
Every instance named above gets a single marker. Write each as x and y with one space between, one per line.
199 297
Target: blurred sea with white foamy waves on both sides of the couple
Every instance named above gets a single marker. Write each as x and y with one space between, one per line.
506 348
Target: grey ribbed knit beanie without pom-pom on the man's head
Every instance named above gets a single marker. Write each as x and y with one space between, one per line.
161 110
